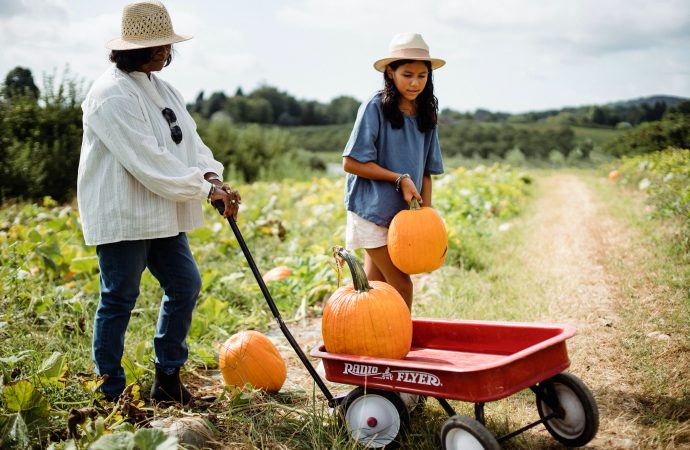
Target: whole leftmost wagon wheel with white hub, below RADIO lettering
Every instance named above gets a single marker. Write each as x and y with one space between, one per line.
375 418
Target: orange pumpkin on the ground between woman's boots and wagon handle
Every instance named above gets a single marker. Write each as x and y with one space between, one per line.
249 357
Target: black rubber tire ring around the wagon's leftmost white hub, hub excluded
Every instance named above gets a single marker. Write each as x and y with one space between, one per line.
361 393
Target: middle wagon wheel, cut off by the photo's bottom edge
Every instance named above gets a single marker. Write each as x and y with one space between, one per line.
465 433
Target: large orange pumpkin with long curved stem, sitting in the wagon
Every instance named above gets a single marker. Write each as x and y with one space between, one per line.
366 318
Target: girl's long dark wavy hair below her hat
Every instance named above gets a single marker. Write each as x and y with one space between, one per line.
426 102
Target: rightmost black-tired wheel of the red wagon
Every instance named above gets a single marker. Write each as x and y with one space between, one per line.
579 420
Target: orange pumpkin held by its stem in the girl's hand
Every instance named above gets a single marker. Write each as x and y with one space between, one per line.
417 240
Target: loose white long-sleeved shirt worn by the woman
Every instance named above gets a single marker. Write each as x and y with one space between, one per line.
134 182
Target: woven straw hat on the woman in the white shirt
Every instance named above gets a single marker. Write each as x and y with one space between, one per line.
145 24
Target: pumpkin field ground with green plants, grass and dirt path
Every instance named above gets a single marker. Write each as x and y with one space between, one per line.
554 246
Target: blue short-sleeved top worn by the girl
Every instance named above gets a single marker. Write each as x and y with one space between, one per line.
405 150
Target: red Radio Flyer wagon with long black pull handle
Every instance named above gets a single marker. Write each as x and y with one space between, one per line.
472 361
